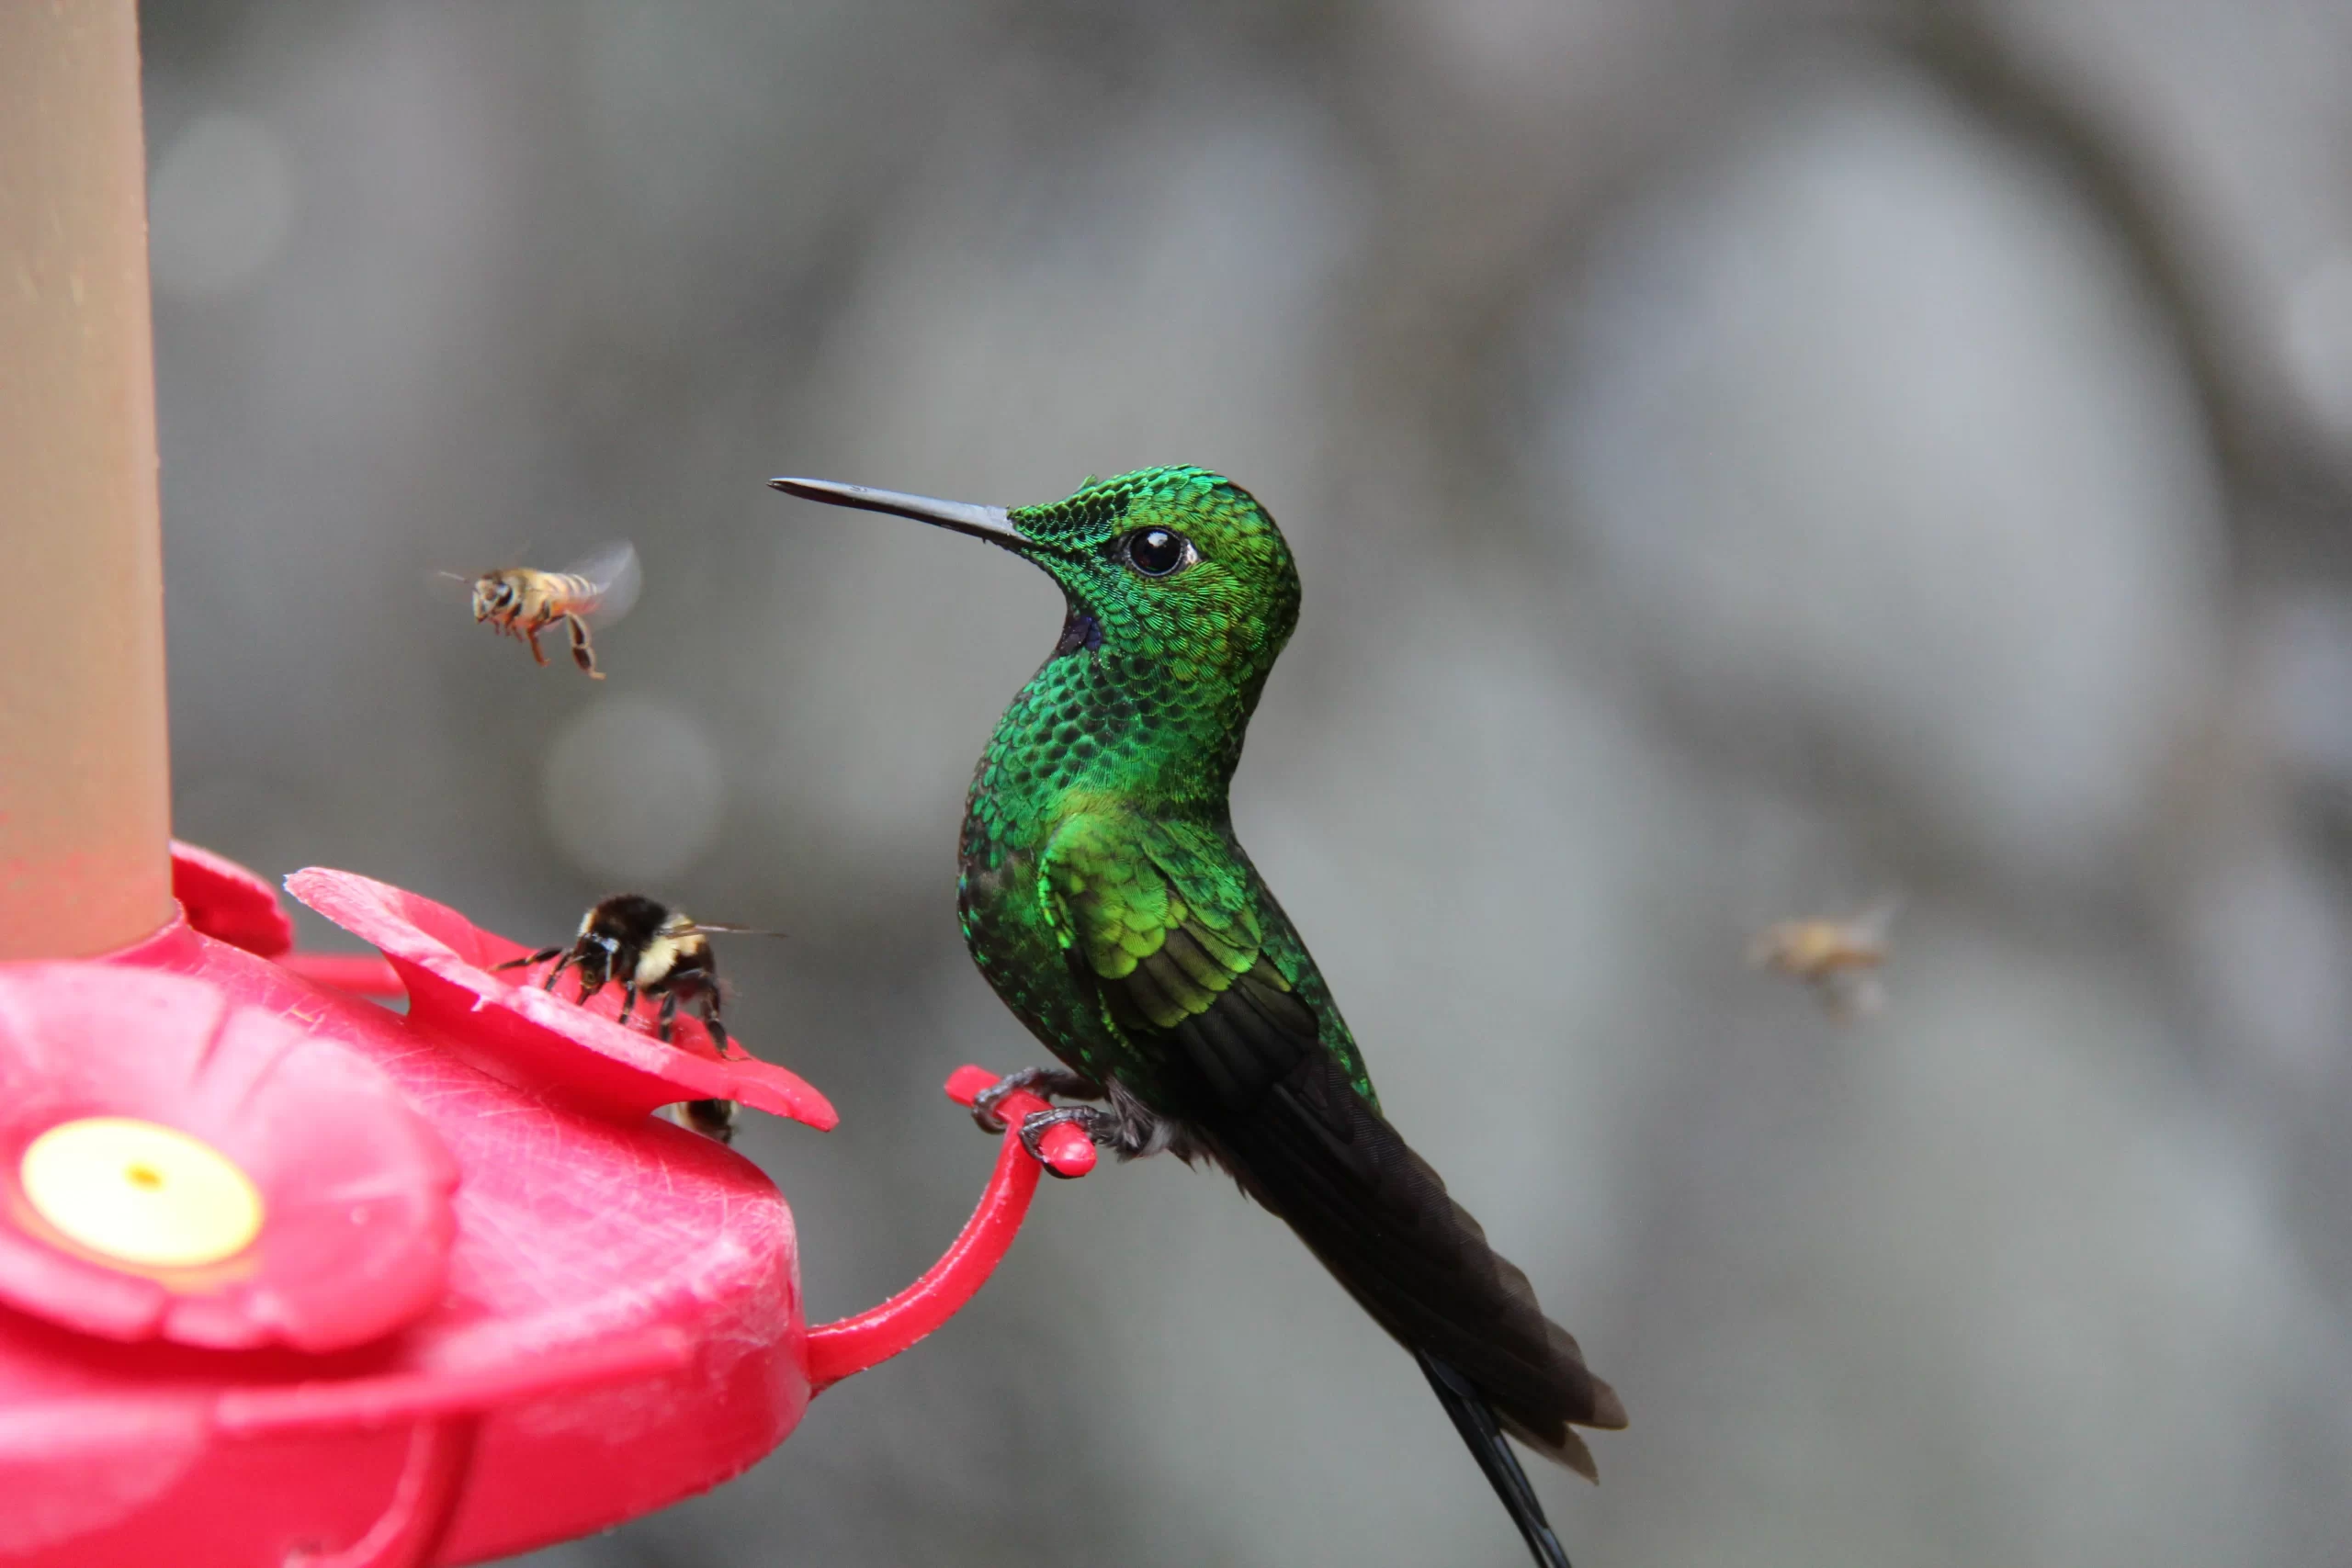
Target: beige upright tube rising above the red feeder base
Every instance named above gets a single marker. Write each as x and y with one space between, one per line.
86 803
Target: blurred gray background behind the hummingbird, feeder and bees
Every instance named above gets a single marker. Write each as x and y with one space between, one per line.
1744 460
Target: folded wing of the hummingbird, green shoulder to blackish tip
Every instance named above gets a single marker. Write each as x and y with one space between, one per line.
1165 925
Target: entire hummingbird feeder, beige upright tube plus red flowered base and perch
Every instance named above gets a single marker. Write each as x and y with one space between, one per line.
288 1278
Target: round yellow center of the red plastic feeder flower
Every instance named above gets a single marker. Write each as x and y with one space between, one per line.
140 1193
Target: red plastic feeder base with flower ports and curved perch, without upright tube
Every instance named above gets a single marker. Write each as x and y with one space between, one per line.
288 1278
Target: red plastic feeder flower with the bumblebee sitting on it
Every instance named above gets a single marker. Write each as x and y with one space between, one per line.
535 1040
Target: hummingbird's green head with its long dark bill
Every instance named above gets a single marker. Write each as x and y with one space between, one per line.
1175 568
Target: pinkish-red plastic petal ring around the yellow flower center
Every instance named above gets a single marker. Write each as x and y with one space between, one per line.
354 1188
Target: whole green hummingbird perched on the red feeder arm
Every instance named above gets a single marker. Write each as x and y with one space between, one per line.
1111 906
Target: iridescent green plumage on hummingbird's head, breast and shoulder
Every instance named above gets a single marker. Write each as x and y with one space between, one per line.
1100 819
